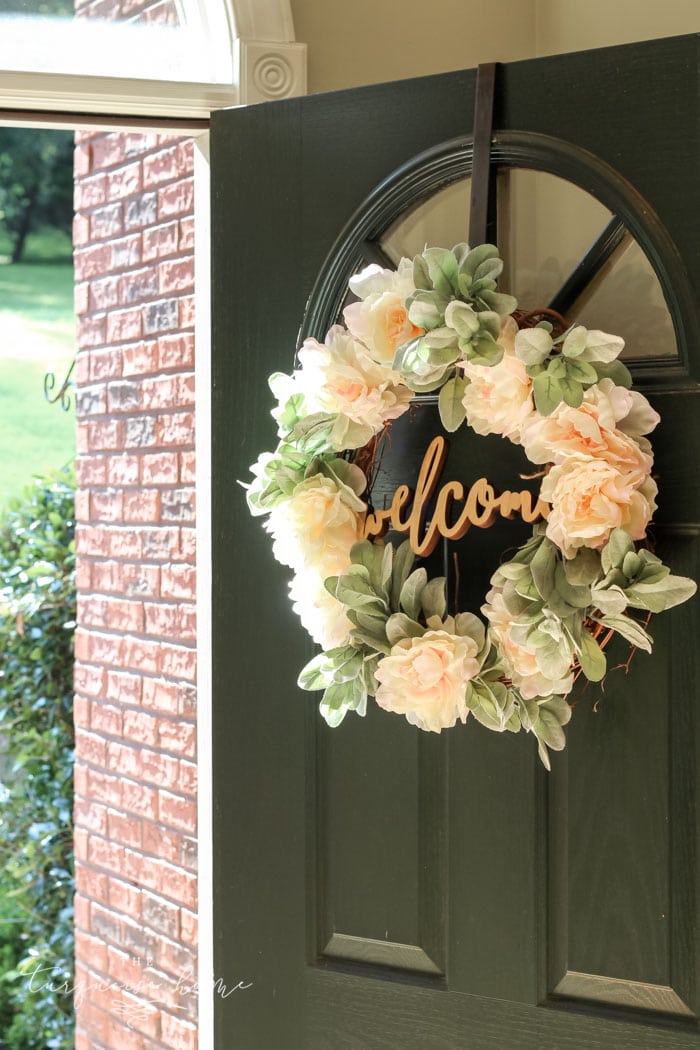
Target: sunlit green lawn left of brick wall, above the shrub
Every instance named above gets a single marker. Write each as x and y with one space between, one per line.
37 334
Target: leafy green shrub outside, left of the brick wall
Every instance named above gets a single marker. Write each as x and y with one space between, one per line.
37 627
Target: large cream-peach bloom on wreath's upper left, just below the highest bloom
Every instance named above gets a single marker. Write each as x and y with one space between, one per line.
341 379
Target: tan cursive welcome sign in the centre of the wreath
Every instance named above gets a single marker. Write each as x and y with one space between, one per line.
482 507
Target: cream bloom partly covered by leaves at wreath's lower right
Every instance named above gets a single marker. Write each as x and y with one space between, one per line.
521 663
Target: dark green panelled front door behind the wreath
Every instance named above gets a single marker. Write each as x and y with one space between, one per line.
379 888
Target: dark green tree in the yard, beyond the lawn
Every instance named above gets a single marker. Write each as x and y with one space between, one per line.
36 183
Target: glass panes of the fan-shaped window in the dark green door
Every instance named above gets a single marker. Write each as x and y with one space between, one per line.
546 227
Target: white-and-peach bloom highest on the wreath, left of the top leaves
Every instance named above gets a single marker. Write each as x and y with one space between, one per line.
380 320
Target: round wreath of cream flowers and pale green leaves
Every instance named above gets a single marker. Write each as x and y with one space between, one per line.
438 323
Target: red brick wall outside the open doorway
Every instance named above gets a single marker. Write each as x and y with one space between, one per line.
136 702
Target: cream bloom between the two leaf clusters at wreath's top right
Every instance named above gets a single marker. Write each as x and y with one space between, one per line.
499 400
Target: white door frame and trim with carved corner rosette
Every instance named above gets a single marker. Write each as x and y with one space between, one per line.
266 64
